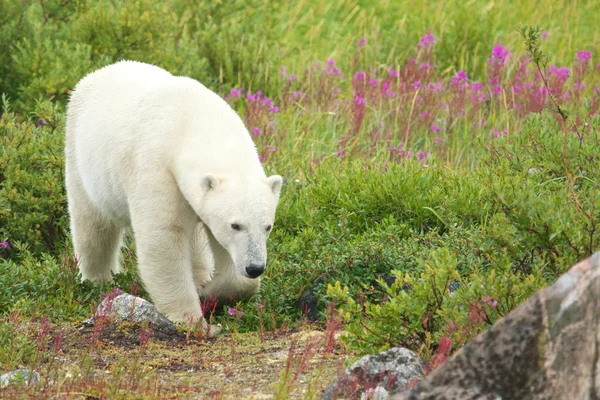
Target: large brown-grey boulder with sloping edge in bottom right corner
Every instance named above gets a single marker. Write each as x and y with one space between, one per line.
547 348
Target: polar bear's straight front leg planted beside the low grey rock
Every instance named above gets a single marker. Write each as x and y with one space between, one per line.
163 234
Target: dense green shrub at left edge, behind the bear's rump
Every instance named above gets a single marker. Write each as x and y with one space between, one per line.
32 194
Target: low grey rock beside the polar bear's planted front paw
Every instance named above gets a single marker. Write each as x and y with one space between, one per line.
125 307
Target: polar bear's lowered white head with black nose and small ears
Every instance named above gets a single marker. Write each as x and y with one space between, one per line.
239 215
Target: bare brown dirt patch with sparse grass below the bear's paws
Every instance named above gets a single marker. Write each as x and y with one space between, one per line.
126 362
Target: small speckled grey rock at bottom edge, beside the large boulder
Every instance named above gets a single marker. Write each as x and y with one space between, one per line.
376 376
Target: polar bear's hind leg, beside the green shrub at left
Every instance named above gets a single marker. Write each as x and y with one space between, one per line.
96 239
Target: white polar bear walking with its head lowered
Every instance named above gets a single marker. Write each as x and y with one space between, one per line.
169 158
